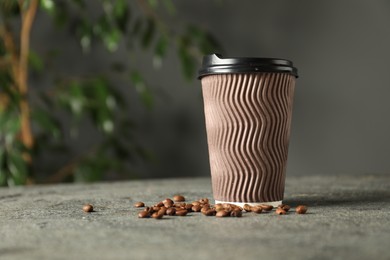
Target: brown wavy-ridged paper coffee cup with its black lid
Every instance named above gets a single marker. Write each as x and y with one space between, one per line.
248 109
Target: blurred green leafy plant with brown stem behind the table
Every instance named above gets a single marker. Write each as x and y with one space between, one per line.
141 24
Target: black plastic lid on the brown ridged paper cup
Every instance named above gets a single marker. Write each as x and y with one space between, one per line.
216 64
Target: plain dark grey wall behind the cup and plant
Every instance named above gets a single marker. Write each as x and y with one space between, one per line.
341 48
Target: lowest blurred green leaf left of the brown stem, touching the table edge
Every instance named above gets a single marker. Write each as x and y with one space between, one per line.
17 167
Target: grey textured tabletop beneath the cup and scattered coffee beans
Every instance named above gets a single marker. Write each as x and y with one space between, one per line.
348 218
